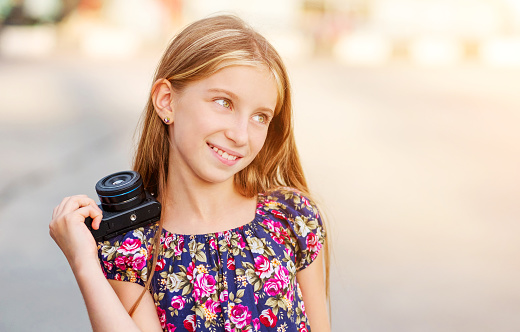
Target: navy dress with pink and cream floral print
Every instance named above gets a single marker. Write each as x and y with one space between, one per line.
243 279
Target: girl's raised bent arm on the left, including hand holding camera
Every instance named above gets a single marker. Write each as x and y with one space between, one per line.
105 309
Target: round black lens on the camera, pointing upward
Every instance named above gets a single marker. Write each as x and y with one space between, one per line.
120 191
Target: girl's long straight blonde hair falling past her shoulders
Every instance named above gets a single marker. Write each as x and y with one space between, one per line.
200 50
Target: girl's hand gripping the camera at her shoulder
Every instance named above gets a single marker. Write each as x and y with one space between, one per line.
69 231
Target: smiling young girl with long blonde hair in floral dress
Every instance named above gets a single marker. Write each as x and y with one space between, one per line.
238 244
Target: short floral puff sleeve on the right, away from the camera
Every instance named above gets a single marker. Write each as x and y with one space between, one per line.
304 220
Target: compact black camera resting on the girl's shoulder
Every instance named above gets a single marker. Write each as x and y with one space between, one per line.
125 205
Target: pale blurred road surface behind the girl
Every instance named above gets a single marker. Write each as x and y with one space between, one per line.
416 169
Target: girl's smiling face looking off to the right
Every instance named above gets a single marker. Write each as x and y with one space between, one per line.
220 123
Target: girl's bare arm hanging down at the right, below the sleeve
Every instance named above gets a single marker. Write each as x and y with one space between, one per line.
312 286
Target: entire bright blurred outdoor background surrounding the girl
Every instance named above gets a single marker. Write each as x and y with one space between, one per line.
407 117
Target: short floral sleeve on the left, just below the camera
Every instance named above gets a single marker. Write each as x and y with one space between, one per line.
125 257
